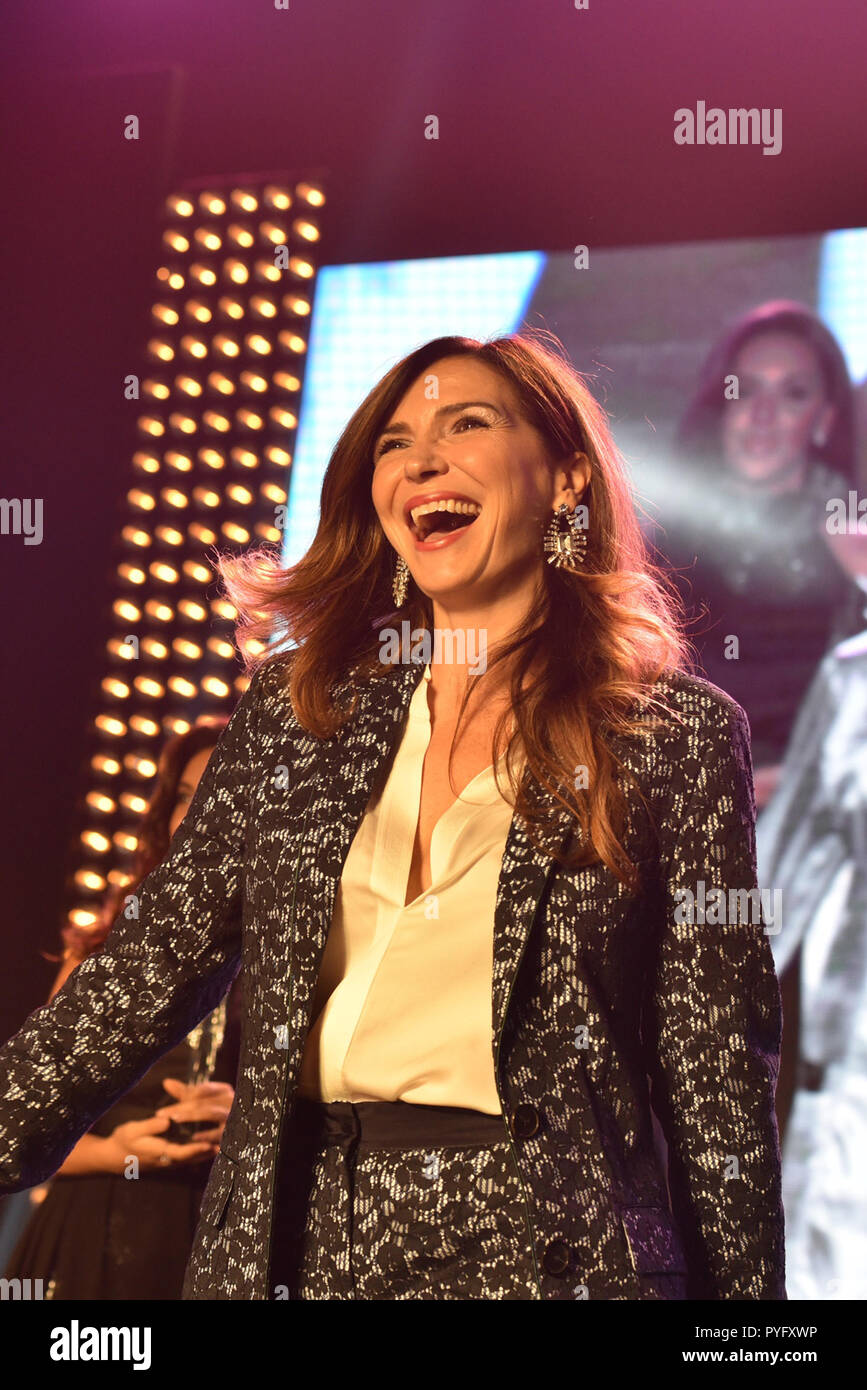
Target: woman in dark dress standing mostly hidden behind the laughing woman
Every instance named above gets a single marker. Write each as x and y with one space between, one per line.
99 1234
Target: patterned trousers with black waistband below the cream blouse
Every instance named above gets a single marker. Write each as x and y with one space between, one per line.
386 1200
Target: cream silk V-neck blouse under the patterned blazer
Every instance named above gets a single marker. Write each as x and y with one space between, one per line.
404 1008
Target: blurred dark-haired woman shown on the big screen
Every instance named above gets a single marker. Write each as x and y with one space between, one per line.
744 521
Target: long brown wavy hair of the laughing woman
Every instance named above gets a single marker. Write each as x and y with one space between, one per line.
584 662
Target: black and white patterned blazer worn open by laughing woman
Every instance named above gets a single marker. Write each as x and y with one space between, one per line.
604 1003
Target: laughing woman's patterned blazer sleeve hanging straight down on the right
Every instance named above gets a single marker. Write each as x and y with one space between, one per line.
715 1022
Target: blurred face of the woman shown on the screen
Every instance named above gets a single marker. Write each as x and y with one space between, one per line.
782 411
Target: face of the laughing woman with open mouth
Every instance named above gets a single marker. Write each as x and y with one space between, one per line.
469 443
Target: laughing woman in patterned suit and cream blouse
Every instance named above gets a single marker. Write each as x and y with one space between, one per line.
472 903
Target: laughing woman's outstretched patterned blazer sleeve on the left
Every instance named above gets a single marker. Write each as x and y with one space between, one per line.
170 957
